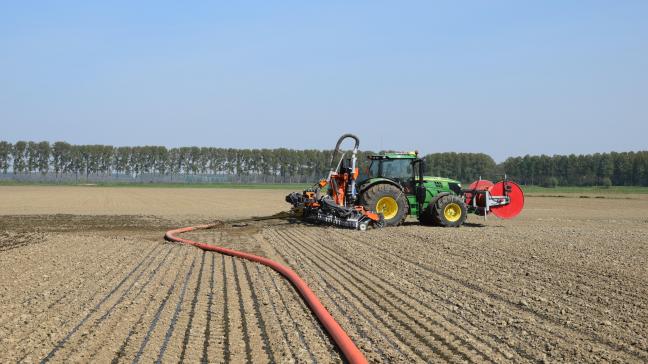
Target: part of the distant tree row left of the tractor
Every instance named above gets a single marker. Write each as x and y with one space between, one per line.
85 160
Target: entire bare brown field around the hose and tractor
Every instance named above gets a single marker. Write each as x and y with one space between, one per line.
92 280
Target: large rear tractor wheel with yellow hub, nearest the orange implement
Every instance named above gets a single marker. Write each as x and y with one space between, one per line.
388 200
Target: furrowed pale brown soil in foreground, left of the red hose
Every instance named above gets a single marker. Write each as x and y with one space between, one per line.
82 298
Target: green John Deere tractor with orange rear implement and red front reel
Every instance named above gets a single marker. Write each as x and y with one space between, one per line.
393 187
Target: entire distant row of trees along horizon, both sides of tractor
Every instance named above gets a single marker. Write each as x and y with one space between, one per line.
61 158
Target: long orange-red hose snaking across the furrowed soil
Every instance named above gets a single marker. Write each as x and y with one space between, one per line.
350 351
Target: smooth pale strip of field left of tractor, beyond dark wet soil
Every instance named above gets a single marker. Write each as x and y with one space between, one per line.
221 203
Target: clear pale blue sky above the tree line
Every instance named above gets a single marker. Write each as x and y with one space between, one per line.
501 77
